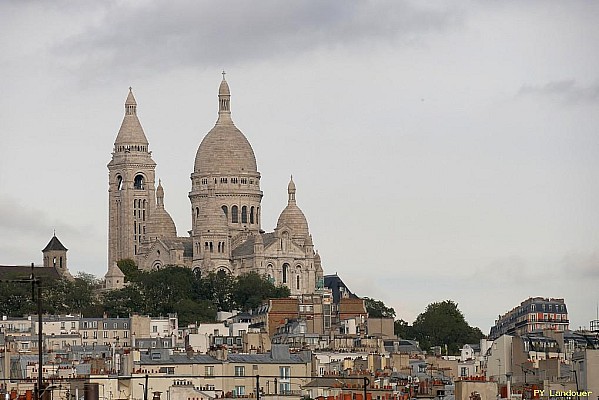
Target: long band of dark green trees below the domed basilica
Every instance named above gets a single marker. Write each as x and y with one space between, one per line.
171 289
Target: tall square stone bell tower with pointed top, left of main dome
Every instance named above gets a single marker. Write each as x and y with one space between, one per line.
131 190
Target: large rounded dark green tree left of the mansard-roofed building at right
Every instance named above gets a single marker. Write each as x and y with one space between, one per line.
443 324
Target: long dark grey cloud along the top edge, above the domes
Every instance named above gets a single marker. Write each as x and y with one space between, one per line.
163 35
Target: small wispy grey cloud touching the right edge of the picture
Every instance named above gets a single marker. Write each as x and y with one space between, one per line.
567 91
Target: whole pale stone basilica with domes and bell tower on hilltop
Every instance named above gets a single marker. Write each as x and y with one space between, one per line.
225 198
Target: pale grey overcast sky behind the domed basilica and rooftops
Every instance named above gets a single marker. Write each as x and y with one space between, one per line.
441 149
